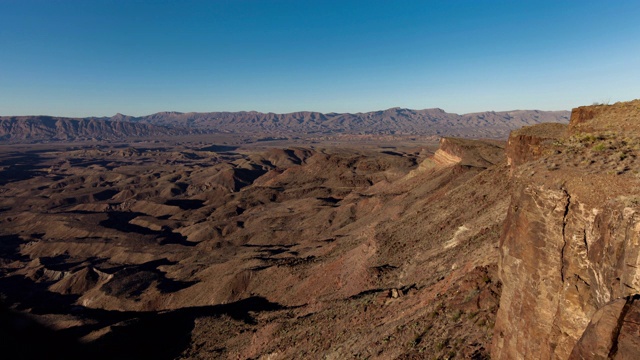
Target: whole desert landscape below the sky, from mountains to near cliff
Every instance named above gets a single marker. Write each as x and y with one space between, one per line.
397 234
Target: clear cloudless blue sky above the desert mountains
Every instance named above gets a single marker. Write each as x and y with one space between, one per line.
100 57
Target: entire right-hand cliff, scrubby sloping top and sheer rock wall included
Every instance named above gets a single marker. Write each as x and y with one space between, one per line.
570 248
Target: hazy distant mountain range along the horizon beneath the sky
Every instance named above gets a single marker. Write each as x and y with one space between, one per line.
397 121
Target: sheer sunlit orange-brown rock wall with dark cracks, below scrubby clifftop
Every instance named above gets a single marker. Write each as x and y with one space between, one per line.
561 260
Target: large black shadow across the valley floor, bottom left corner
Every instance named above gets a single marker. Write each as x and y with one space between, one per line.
129 334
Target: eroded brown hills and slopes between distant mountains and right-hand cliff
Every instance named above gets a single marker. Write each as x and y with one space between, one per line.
282 253
